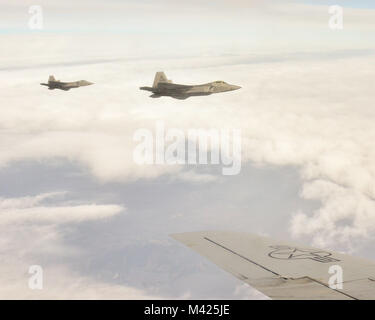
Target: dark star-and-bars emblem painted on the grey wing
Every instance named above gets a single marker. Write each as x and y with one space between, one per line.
293 253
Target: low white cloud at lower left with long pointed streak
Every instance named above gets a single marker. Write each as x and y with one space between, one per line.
24 242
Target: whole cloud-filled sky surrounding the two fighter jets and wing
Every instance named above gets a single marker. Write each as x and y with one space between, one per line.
73 200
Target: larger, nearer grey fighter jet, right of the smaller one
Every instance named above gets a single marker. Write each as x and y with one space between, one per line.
164 87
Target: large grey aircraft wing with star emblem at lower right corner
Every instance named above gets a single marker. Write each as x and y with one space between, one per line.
284 270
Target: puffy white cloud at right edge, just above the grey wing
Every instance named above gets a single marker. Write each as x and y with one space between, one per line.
346 216
